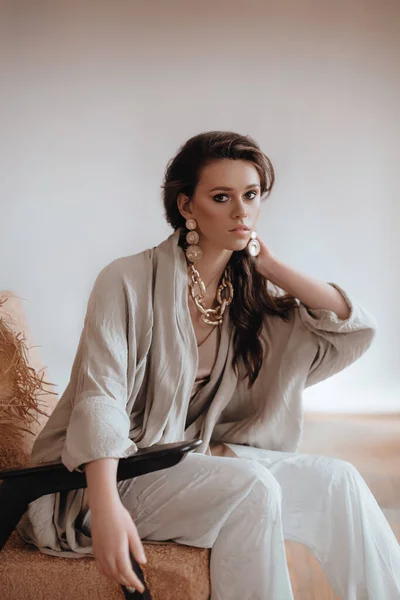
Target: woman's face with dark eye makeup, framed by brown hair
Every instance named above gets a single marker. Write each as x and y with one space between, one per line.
226 204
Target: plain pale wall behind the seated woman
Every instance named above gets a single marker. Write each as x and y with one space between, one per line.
97 97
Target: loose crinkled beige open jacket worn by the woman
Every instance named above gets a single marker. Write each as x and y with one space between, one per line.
133 375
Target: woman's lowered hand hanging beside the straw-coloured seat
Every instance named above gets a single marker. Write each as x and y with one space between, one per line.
114 534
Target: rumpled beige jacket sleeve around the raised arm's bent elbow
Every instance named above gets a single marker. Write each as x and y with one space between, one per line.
339 342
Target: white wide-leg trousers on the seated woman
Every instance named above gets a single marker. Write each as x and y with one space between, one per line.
244 508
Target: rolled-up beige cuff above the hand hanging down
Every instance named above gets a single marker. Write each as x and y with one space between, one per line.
98 428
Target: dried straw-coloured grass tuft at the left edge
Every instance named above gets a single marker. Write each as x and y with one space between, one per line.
21 387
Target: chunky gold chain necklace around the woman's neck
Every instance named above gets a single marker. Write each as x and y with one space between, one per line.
211 316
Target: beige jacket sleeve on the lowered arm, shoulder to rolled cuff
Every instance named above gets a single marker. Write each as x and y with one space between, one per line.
99 424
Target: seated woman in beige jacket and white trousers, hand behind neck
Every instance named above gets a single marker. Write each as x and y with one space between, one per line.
187 340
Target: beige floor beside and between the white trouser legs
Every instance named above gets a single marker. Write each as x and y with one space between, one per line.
372 444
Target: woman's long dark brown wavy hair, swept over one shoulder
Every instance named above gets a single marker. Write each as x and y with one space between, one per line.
252 301
